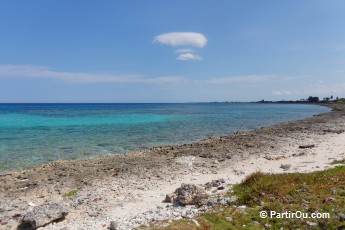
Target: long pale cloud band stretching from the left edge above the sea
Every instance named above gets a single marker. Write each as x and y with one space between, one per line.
30 71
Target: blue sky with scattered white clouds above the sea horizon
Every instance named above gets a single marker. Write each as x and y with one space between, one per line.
170 51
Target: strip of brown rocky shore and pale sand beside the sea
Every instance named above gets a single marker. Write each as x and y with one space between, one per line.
122 187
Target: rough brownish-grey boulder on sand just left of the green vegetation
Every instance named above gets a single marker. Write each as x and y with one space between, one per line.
190 194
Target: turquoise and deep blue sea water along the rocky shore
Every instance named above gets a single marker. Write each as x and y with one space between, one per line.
32 134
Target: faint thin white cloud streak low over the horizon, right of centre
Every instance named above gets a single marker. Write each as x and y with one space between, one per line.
251 79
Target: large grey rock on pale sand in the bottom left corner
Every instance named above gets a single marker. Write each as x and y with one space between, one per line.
44 214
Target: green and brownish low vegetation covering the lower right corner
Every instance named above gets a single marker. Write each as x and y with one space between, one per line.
316 192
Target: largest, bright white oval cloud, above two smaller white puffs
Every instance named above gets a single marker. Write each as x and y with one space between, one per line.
182 39
